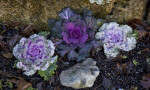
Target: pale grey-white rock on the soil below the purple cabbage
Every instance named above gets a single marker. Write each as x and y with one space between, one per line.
81 75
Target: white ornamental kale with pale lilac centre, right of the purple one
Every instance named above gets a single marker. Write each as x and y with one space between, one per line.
116 37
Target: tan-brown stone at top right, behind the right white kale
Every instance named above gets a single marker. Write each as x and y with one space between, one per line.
127 10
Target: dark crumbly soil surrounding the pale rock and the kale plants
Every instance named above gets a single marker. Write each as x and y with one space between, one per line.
122 72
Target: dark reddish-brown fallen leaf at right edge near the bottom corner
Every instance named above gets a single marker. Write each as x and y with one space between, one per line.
146 81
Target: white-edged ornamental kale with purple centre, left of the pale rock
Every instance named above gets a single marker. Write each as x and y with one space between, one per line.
34 53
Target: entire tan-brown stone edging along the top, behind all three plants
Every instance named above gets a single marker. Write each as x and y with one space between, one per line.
38 12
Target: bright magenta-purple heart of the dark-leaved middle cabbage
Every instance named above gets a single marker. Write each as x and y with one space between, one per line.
75 33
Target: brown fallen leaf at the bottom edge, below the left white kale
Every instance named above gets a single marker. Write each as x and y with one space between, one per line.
21 83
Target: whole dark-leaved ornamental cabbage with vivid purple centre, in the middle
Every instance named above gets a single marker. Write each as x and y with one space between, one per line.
74 33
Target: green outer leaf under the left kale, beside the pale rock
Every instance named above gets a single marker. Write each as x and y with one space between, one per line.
49 72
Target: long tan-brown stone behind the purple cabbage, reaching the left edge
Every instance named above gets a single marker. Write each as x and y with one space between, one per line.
39 11
